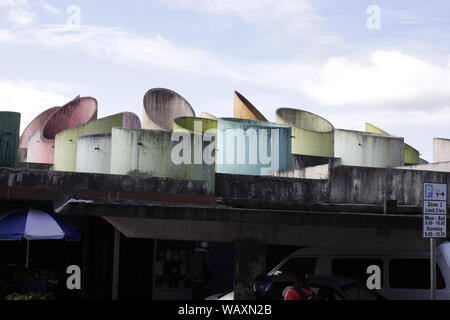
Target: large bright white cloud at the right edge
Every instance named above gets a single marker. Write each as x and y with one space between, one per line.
390 79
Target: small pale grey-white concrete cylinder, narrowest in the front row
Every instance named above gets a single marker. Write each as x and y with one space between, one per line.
94 154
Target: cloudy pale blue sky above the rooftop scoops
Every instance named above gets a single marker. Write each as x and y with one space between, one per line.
350 61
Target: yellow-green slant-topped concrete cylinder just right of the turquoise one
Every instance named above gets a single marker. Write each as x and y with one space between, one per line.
312 134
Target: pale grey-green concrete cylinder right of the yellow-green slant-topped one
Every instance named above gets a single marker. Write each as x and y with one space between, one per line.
357 148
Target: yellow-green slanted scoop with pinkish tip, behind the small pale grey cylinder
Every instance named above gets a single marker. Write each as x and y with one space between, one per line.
66 142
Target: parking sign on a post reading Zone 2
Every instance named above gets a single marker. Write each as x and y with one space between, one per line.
434 223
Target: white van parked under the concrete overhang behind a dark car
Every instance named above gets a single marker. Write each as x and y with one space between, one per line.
405 276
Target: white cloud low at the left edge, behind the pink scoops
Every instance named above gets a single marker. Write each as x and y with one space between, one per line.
31 98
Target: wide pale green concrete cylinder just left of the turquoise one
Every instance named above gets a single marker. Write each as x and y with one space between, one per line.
149 152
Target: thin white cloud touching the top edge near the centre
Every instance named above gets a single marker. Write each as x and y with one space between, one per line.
296 14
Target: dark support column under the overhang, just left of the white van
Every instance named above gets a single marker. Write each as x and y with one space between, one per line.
250 261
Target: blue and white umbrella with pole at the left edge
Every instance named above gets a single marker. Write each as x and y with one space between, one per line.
35 225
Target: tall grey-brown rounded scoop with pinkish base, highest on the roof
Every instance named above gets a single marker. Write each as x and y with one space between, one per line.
162 107
